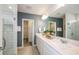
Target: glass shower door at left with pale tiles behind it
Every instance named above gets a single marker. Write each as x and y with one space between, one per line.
8 35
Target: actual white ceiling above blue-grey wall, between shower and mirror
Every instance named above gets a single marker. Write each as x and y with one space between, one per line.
38 9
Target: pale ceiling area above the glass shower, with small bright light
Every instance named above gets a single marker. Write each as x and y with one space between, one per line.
4 8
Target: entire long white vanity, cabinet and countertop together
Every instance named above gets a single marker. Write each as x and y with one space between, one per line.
56 45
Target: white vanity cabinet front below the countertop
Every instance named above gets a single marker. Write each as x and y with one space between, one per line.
44 48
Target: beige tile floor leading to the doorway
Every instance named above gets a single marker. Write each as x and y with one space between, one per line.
27 50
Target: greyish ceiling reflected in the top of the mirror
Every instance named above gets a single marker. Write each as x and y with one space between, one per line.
69 8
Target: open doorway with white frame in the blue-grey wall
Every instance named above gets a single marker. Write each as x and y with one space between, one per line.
27 32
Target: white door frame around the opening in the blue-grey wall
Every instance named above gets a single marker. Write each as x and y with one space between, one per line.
23 31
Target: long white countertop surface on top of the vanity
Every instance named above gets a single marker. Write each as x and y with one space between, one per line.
63 48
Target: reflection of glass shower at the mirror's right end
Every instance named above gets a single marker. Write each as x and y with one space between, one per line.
72 26
